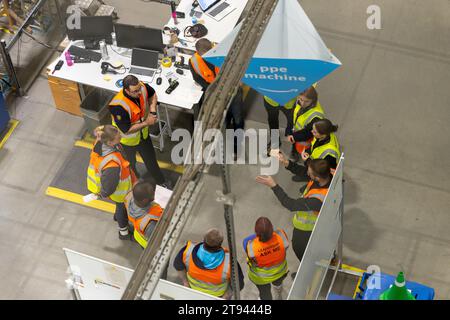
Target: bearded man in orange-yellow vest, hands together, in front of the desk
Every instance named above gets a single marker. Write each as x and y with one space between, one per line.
133 110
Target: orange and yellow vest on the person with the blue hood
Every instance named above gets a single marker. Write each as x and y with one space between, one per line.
214 282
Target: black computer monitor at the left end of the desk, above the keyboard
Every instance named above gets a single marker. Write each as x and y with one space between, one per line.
93 29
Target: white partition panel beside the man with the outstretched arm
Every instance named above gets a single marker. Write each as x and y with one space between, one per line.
324 239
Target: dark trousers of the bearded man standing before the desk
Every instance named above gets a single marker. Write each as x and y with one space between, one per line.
147 152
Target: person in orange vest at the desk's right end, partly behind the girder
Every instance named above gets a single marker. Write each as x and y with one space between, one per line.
204 73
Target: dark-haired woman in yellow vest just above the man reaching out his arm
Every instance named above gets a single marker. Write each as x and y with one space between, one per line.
325 144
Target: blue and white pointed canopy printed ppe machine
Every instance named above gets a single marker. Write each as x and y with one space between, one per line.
290 57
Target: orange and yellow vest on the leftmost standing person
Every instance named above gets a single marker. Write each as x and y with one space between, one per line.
98 163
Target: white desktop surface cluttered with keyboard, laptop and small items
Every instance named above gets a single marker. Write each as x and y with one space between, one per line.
184 96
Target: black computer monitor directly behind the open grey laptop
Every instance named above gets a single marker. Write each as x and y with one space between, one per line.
128 36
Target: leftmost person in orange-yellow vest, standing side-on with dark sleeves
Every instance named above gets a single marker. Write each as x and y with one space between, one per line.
109 174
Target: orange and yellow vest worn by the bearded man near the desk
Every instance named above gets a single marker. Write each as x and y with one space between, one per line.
137 115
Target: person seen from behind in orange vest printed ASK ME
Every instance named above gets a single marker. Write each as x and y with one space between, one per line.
266 258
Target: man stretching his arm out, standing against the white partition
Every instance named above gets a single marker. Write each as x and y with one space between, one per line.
307 207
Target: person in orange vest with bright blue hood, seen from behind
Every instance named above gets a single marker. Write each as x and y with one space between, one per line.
206 266
